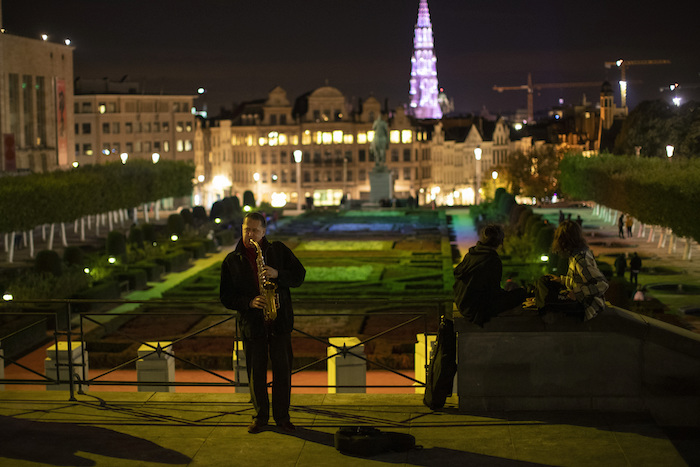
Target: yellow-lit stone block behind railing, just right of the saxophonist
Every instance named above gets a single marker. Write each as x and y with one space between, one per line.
346 369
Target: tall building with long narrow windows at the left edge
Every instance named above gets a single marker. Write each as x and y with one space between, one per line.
36 104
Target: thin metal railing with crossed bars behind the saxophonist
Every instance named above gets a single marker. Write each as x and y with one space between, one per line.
71 326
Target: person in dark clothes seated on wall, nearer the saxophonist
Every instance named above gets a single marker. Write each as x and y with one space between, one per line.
478 292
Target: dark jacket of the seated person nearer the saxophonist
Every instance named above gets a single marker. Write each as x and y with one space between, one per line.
478 283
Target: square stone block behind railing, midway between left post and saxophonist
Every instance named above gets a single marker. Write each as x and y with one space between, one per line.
155 367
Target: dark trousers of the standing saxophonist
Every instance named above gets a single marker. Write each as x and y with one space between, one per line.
279 349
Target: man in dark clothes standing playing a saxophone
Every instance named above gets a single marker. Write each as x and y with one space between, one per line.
240 290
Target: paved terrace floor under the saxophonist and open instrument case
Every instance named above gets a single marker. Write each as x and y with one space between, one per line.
210 429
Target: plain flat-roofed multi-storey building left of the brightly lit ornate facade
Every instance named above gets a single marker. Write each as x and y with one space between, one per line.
114 121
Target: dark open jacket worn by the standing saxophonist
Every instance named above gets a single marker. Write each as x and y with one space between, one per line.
239 286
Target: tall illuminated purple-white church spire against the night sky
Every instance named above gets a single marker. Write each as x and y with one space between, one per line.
424 84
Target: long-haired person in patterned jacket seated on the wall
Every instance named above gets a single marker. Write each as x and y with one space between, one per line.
583 281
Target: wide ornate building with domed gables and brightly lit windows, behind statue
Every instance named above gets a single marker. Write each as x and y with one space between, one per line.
254 150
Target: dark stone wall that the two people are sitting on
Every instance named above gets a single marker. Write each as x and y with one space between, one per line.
619 361
